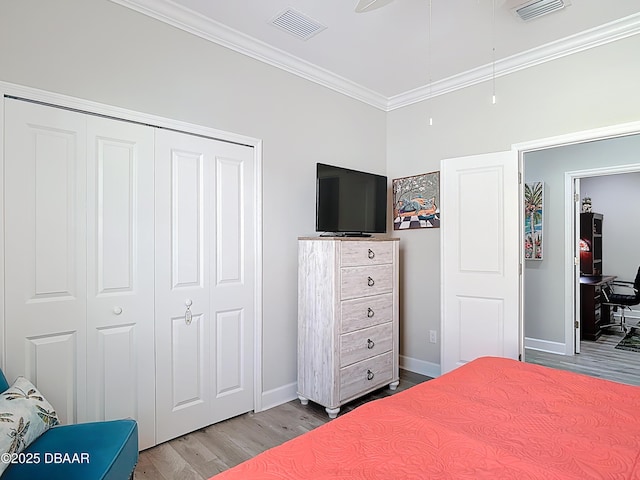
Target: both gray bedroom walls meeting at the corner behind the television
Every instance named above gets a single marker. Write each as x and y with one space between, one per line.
101 51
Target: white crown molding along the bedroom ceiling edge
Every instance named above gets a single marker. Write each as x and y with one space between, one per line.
170 13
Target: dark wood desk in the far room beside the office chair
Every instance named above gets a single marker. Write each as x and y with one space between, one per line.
592 312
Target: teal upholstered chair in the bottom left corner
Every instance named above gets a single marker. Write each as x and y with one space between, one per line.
103 450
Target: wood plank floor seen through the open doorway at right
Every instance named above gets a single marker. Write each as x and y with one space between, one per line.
597 359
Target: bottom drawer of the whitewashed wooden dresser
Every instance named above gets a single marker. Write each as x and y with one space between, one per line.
365 375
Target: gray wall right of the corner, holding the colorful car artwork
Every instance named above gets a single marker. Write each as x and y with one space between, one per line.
587 90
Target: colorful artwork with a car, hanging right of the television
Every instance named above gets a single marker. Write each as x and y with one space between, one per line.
416 201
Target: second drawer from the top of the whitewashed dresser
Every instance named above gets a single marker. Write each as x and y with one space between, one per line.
362 281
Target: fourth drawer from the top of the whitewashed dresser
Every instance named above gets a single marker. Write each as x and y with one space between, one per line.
365 343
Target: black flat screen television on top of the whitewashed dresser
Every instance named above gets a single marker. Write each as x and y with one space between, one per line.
349 202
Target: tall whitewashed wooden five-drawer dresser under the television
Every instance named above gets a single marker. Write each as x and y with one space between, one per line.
348 326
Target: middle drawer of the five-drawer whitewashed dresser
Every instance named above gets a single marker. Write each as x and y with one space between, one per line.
366 312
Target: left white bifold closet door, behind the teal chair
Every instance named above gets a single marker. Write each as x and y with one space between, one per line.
79 319
